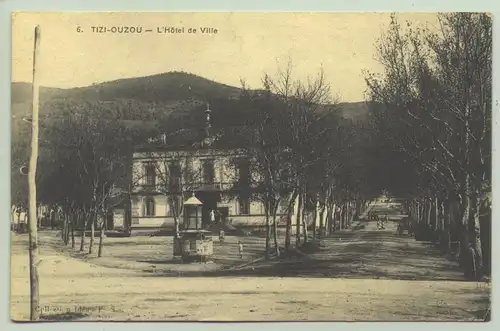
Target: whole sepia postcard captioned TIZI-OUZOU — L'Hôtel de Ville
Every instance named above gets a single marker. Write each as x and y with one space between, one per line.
251 166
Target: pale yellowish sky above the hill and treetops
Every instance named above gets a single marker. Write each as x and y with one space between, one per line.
246 46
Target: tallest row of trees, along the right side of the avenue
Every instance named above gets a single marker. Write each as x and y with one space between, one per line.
432 110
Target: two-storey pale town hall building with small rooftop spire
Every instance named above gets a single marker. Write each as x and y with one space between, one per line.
163 178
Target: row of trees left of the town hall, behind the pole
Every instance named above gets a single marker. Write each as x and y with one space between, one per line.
83 168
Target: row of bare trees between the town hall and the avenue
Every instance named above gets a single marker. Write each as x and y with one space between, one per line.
306 157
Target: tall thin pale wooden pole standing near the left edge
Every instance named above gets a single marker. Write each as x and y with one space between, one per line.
33 231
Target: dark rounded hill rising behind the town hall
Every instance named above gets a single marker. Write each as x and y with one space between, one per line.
144 97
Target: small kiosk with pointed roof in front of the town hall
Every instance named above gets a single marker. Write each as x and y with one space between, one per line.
193 243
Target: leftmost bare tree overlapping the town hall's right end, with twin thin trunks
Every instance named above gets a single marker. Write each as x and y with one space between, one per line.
265 179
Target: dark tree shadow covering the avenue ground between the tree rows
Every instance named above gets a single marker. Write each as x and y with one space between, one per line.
363 254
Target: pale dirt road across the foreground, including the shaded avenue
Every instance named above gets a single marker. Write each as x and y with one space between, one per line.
365 274
